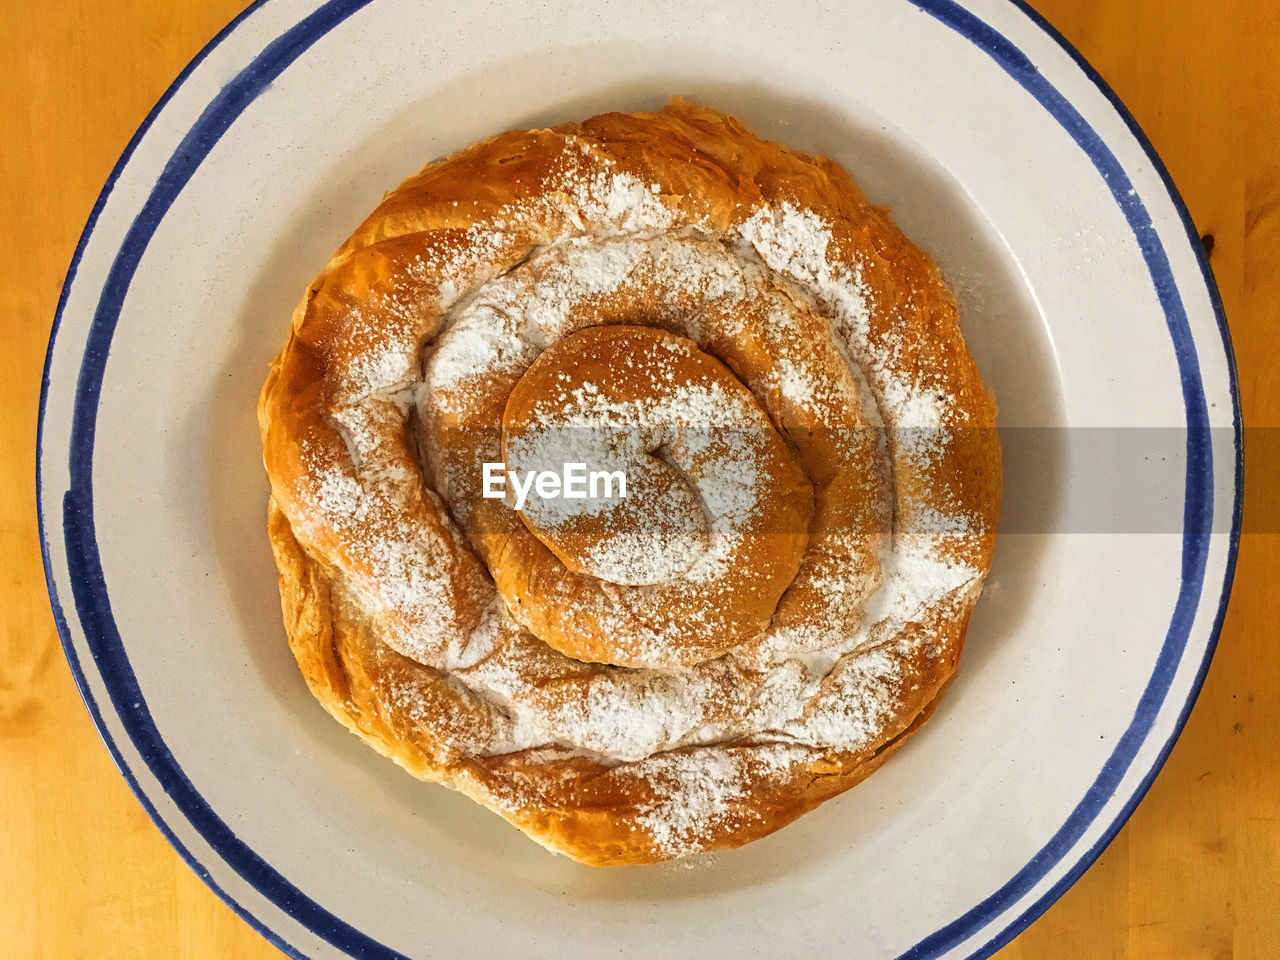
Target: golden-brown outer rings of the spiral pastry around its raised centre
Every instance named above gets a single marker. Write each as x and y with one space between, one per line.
429 711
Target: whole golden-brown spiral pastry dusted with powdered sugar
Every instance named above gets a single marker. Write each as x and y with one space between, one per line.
780 376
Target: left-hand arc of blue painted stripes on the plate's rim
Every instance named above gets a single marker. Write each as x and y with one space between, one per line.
89 586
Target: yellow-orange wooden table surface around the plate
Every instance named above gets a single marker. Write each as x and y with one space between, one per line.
84 874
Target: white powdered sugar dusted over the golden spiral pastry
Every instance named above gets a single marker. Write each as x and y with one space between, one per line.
803 685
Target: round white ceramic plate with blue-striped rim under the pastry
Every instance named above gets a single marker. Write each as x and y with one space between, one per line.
1085 298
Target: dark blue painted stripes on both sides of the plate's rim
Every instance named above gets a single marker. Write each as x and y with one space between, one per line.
104 642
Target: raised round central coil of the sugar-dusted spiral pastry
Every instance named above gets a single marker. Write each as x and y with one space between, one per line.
708 482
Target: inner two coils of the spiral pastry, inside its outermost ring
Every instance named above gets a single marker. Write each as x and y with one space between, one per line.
756 495
